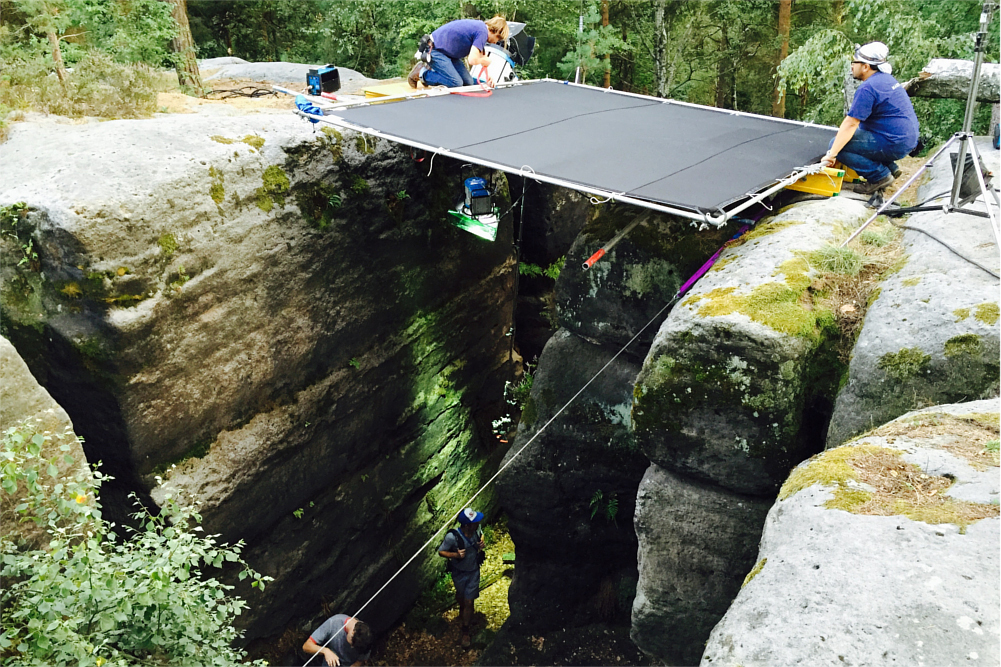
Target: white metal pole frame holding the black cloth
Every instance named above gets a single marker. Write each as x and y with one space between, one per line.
705 219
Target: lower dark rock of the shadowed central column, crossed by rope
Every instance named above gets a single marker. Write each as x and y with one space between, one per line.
570 495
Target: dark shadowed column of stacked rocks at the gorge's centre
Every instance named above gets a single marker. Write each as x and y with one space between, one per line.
570 496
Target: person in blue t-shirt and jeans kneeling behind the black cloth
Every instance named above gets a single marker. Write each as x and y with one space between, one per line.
465 39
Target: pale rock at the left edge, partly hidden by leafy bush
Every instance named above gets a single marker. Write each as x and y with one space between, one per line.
23 401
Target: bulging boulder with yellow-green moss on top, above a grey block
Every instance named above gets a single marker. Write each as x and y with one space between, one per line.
737 386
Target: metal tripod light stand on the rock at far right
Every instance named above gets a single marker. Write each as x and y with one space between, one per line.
965 139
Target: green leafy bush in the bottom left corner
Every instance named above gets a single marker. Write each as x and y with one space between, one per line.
92 597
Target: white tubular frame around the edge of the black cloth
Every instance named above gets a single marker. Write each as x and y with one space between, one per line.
701 217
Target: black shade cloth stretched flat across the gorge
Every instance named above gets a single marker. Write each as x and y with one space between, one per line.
698 159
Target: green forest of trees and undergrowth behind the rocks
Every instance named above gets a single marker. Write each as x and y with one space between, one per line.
775 58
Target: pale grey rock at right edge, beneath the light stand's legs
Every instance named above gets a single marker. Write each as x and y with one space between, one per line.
931 336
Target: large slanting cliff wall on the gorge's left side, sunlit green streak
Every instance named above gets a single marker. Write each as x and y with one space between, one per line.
278 320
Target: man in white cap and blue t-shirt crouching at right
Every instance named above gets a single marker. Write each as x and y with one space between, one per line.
880 129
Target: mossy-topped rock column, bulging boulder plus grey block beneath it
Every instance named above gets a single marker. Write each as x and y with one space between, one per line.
736 390
